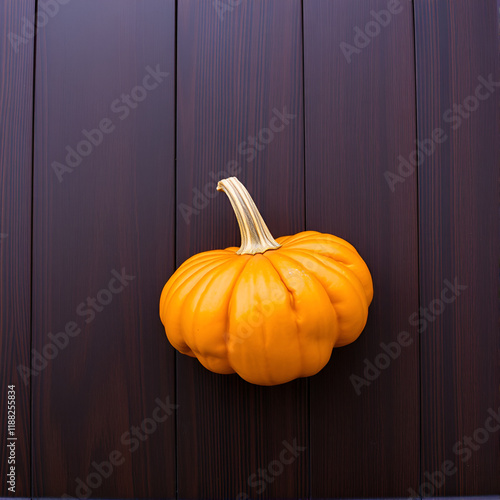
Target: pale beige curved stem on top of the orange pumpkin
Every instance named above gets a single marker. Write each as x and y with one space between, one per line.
255 236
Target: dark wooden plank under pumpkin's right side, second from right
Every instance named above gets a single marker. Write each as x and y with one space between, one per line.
360 116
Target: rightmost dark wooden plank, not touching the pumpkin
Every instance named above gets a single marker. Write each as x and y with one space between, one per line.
457 54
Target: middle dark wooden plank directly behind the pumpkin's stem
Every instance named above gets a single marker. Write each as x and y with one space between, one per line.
239 66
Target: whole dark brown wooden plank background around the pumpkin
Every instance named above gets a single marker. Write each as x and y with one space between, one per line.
232 65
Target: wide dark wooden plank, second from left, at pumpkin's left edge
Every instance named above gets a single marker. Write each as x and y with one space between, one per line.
103 246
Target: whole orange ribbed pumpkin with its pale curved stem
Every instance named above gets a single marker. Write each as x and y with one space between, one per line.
273 310
